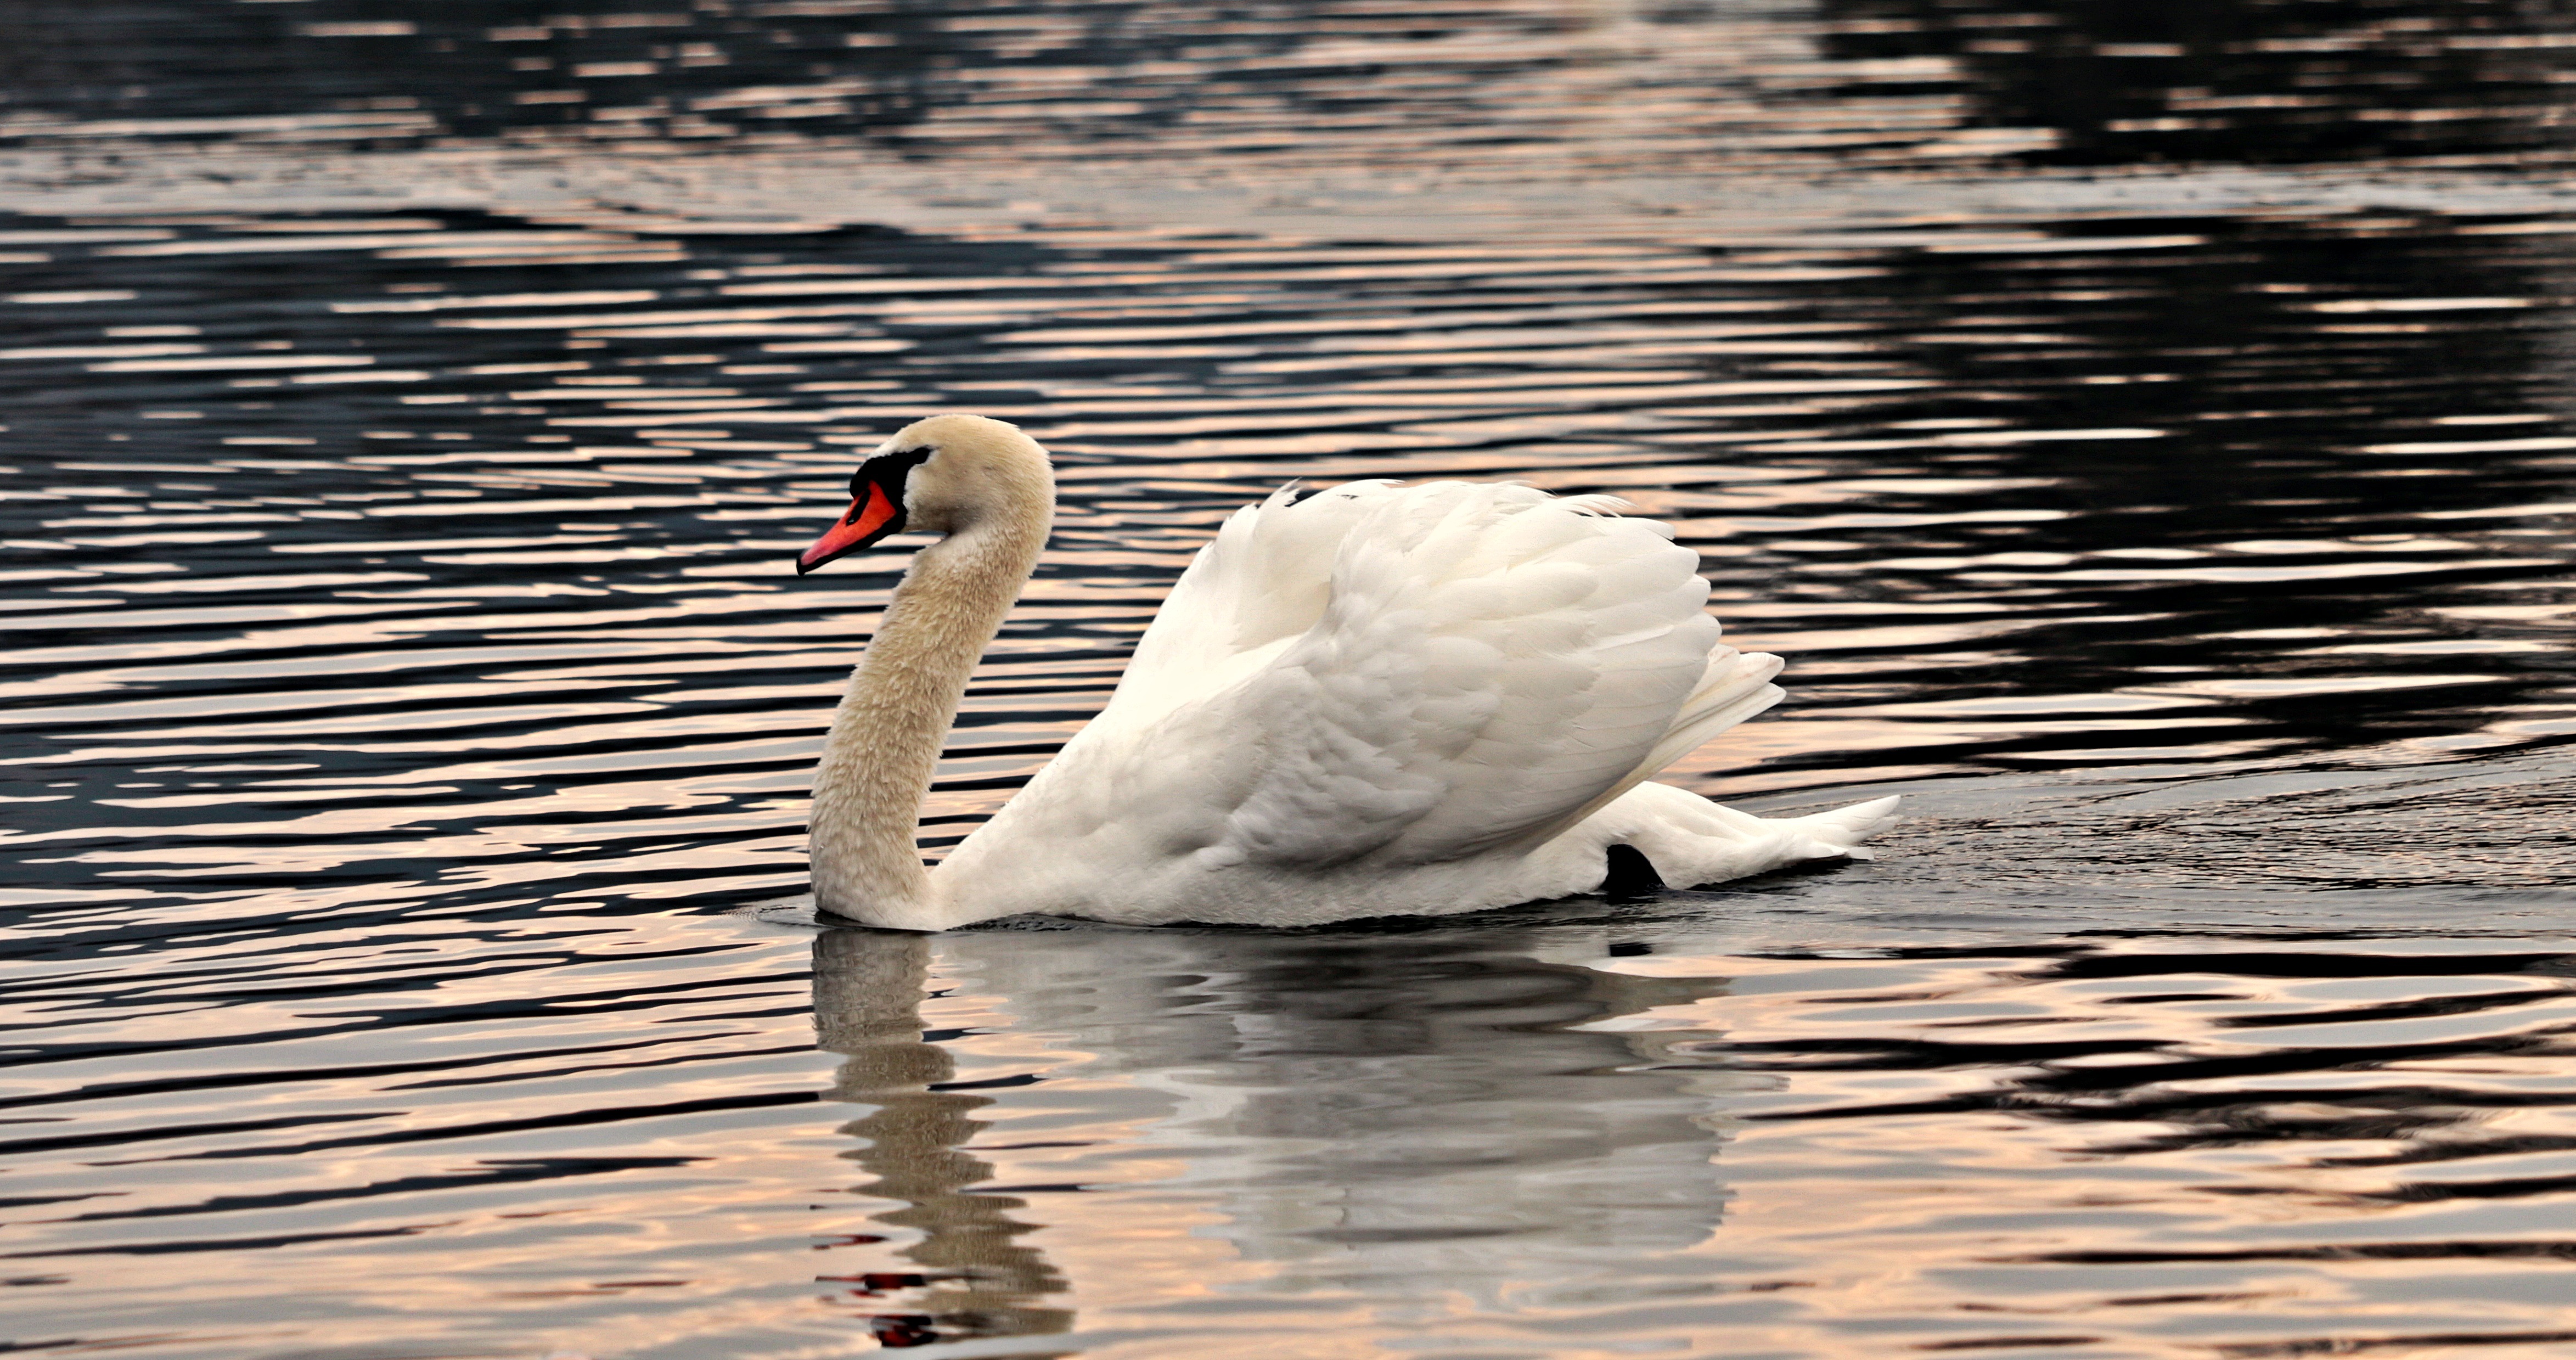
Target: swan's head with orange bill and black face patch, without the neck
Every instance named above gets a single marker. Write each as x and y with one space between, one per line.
942 475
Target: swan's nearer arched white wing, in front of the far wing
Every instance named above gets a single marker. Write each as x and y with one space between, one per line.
1482 666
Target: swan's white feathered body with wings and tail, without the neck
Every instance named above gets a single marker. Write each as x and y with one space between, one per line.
1397 699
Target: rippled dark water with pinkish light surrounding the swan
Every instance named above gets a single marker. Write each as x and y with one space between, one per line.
2145 429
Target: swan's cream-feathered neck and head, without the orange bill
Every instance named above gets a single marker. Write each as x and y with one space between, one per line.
990 493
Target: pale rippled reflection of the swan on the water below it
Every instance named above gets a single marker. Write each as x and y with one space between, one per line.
1457 1117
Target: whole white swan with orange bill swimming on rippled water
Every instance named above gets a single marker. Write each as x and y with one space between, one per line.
1361 702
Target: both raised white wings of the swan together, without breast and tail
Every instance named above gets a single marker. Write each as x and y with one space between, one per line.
1475 666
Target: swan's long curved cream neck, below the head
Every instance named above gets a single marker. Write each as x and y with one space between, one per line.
895 717
